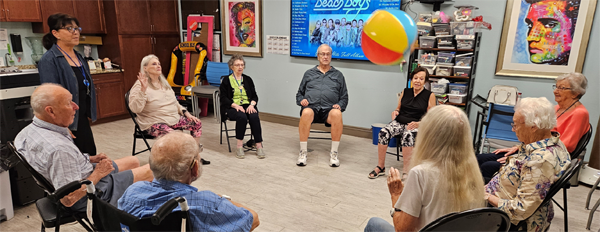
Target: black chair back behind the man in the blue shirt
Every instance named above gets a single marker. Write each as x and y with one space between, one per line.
108 218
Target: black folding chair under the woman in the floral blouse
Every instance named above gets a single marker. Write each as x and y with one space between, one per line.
561 183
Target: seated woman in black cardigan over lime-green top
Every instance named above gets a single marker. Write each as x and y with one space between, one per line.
238 100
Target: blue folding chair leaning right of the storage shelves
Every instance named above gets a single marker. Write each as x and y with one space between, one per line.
498 129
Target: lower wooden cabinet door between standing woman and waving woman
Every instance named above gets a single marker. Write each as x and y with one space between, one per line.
110 99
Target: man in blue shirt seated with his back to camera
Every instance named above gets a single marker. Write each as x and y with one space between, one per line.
174 162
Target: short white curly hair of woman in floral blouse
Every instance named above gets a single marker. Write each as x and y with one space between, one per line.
537 112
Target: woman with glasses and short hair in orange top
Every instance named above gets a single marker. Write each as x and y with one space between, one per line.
572 121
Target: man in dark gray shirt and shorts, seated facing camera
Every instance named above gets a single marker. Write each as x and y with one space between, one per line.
323 97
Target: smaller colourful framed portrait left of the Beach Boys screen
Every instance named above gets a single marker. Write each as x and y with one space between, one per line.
238 37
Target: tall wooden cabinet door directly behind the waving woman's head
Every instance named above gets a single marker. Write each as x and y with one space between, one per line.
133 49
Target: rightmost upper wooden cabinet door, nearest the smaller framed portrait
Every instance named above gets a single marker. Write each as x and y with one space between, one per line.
164 16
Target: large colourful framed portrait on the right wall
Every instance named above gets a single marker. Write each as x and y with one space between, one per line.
544 38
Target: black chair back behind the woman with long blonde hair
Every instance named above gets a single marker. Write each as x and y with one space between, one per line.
475 220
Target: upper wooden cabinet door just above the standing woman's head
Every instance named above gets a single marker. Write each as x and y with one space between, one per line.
50 7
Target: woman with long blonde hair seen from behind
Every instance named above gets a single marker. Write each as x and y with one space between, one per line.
444 177
